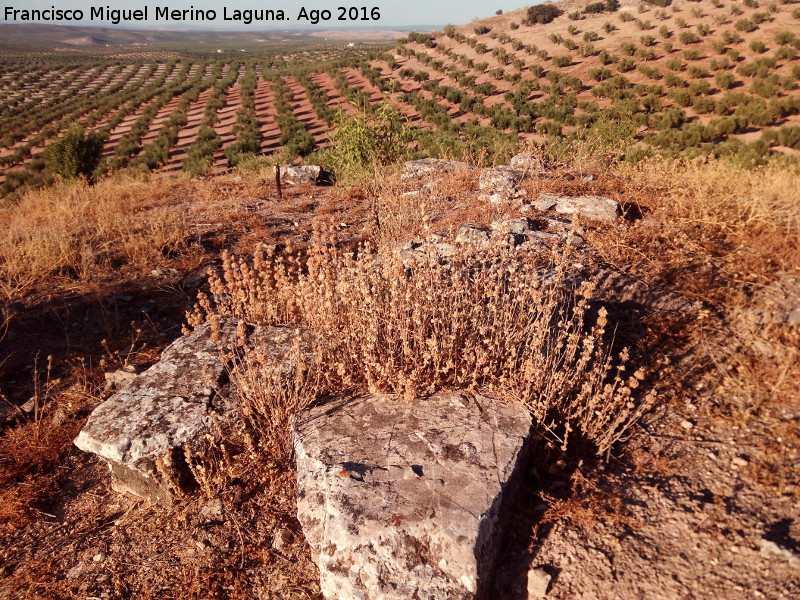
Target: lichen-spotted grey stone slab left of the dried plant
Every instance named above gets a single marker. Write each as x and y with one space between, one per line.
143 430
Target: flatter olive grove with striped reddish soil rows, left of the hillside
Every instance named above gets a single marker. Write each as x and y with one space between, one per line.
199 117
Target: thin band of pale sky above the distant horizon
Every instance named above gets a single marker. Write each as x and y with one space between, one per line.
412 14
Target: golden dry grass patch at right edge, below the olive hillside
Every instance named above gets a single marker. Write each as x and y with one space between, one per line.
716 229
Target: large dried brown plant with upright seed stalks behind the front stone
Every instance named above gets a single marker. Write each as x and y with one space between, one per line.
489 320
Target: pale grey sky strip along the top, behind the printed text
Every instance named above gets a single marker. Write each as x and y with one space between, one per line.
394 13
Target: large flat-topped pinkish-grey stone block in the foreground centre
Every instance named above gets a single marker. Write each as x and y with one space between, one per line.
403 500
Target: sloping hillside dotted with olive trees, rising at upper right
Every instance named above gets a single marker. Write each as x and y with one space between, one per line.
686 77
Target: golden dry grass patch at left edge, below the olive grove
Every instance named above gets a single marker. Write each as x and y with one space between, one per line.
81 233
